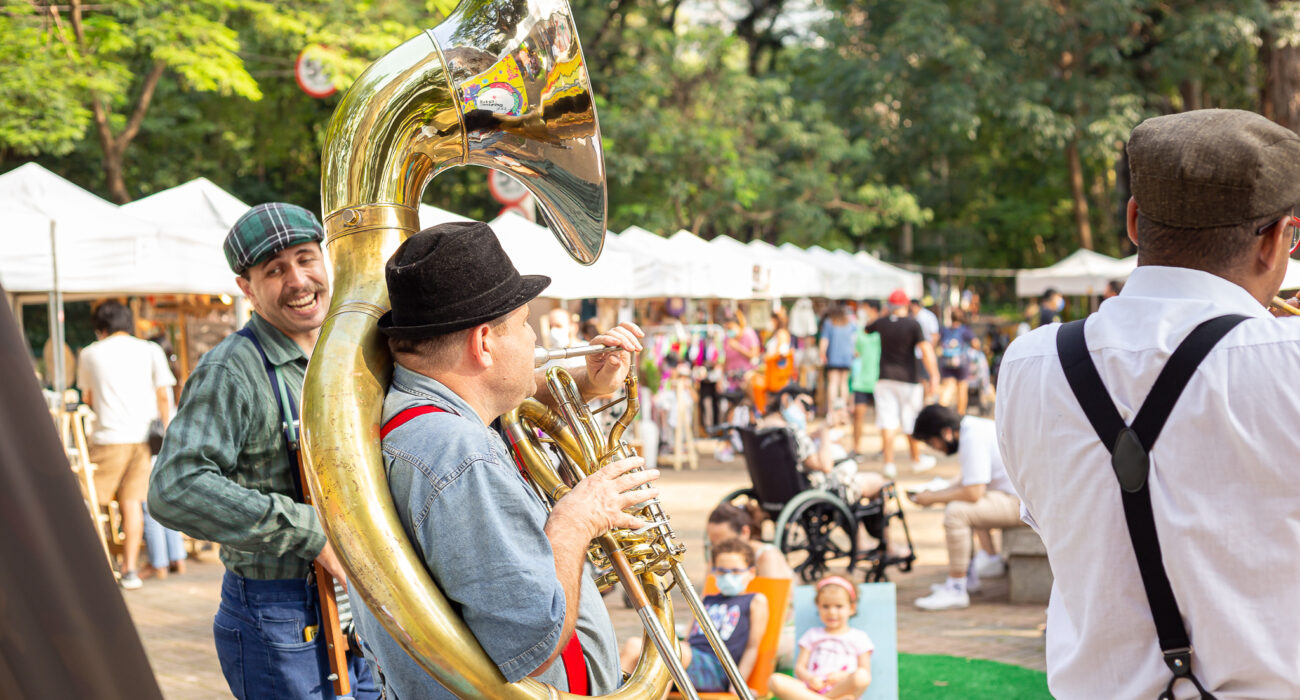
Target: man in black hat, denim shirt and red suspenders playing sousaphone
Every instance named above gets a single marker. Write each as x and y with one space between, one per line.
463 353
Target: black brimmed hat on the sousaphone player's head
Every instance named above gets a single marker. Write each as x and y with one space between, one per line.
450 278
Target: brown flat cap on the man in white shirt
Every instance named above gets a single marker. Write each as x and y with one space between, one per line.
1214 168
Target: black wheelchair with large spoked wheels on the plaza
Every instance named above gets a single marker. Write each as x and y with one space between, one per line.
818 528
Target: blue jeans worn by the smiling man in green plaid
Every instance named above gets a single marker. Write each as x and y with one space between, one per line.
259 632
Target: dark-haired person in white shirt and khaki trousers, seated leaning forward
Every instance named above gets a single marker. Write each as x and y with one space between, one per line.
982 500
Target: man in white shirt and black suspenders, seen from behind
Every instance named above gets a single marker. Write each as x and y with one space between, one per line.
1155 448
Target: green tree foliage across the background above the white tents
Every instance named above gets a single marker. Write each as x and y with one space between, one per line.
985 135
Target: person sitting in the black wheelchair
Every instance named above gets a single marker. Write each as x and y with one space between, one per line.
821 457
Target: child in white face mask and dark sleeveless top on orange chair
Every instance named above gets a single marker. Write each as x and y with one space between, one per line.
739 617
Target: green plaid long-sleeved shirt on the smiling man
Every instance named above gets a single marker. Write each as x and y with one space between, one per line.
224 473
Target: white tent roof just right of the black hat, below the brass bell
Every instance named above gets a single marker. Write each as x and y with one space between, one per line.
535 250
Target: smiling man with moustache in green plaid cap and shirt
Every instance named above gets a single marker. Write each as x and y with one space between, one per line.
227 473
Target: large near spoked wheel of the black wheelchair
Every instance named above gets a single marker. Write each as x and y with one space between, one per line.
817 533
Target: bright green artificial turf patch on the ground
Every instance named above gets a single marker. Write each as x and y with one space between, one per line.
952 677
